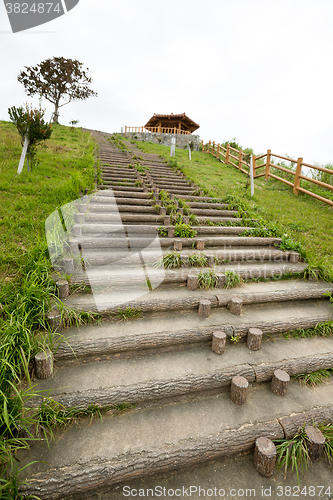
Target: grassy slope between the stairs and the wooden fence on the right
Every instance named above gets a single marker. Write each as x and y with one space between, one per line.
302 218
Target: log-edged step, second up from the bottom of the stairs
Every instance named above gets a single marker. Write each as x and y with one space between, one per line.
175 374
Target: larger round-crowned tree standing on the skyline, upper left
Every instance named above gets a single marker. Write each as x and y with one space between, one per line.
56 79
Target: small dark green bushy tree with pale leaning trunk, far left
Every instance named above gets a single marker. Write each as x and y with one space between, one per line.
29 123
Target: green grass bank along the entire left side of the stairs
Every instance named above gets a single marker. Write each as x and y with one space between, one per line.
64 170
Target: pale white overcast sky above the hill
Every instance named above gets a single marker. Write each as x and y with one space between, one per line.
256 70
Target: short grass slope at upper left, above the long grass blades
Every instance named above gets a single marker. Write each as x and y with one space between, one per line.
65 166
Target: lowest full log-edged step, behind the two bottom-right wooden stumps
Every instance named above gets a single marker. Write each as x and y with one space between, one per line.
135 444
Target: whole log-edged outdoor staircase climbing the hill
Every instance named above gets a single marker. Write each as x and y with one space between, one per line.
169 394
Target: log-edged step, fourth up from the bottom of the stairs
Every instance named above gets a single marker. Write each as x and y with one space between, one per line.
181 299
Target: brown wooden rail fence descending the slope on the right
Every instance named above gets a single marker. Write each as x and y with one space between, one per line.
226 155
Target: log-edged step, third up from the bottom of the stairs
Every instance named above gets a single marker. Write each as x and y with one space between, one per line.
166 331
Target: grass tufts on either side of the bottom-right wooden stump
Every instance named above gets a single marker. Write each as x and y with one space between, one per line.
293 453
